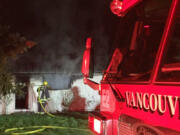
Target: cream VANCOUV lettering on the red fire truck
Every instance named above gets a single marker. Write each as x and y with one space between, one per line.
152 102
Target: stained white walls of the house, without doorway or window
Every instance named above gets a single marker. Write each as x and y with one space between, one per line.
79 97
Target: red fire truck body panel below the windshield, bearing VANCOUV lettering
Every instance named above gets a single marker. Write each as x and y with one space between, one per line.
153 104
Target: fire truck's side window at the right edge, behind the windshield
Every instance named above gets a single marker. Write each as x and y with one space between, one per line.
170 70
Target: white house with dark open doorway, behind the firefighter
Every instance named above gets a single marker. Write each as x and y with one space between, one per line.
61 94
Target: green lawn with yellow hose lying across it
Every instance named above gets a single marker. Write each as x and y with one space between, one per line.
36 124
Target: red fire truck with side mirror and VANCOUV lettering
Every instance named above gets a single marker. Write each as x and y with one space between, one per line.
140 88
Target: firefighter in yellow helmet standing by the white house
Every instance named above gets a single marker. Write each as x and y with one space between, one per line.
43 97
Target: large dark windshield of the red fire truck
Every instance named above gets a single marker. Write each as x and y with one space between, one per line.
133 58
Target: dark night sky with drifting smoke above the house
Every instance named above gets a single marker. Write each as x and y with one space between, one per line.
60 28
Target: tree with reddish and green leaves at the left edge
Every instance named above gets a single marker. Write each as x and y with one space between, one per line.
11 45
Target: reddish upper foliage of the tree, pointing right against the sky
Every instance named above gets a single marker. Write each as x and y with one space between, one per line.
12 44
